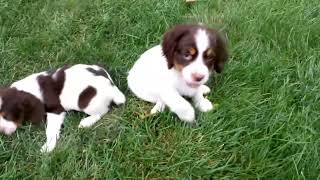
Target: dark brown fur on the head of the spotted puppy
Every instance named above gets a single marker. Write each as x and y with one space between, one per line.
19 106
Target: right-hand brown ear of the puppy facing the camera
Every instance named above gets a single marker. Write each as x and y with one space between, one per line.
221 53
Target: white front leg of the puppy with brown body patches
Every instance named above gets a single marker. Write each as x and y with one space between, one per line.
54 122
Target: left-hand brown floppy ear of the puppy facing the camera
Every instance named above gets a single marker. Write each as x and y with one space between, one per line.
170 42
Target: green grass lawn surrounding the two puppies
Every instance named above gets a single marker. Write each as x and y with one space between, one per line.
267 124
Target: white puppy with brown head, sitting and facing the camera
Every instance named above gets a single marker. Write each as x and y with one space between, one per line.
179 67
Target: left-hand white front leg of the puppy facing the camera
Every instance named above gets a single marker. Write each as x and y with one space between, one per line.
179 105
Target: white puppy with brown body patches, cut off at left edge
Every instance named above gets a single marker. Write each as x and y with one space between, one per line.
46 96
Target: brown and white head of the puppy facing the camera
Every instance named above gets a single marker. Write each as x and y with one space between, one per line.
195 51
